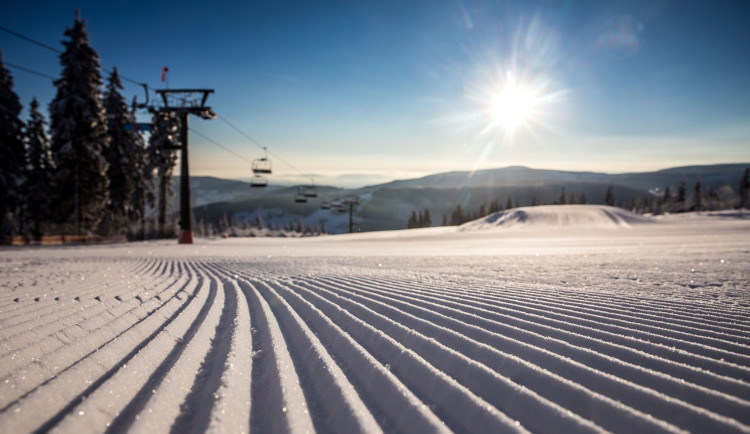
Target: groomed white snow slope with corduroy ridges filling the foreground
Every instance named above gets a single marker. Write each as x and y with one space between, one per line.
429 330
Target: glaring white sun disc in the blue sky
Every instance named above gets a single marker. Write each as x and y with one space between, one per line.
512 106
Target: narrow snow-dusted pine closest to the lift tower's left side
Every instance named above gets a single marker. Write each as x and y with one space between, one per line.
162 159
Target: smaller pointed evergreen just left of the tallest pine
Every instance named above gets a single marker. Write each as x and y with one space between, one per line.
39 185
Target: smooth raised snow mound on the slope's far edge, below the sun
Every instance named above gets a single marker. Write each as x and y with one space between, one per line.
558 216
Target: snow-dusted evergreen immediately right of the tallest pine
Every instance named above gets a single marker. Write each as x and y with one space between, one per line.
125 157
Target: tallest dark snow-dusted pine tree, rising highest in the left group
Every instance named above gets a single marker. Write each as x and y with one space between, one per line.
79 134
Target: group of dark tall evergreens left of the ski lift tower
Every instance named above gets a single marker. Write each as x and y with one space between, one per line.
83 171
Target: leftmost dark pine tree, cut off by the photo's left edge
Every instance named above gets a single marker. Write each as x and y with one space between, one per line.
12 154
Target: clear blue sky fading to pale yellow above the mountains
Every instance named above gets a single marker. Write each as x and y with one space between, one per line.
395 89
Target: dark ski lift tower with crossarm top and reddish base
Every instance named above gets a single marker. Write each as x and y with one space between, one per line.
184 102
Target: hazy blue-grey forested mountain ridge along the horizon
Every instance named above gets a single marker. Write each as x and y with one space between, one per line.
388 206
